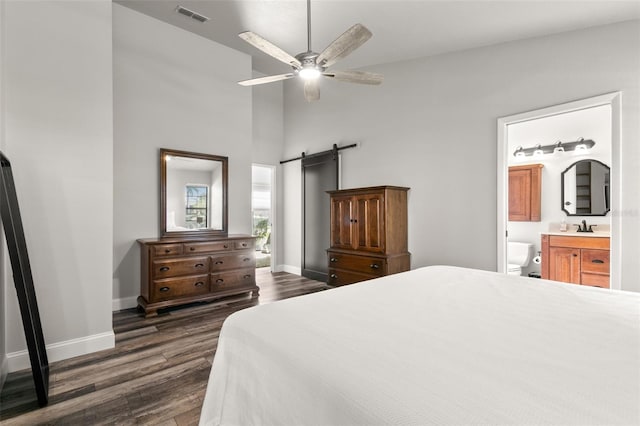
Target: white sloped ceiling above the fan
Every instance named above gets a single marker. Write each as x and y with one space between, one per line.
401 29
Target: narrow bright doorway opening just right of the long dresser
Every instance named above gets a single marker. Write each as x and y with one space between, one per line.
262 212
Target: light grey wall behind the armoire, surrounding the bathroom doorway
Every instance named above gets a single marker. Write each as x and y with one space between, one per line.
432 126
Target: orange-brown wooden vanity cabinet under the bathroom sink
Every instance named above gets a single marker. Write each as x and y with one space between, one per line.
576 259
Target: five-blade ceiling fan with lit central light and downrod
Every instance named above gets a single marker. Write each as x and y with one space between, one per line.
309 65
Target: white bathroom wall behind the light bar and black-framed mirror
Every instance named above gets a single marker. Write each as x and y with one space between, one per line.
592 123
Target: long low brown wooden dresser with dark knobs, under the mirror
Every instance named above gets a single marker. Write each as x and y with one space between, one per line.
176 271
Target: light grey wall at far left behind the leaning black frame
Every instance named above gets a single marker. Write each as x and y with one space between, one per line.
58 136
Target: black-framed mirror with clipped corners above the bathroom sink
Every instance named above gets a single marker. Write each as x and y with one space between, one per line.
585 189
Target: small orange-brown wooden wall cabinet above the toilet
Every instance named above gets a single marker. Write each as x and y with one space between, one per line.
525 187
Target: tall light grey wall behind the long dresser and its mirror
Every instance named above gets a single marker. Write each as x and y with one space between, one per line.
172 89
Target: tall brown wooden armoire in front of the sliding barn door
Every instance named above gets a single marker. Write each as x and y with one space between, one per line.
368 234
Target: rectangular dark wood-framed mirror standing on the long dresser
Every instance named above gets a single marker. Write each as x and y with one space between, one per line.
193 194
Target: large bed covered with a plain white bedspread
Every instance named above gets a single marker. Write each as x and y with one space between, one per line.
436 345
